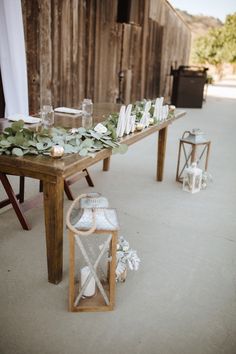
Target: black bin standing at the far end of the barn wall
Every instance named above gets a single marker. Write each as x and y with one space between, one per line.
188 86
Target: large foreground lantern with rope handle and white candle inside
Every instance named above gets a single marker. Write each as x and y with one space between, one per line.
93 227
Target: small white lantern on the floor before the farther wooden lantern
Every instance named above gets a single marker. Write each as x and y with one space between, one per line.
192 179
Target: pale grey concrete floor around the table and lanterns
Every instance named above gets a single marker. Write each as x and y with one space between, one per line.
182 300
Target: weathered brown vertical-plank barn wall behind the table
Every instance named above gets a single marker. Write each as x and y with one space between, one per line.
83 48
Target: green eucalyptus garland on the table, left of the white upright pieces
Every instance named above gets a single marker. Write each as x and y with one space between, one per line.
18 140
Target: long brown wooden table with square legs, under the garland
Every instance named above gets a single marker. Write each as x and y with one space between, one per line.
53 172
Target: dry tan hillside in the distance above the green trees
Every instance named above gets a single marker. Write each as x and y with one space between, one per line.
199 24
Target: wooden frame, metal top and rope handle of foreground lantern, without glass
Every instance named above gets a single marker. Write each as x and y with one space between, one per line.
104 299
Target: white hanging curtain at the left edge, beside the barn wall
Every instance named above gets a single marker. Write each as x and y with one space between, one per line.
13 58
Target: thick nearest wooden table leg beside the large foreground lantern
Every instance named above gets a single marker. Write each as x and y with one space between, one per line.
53 213
